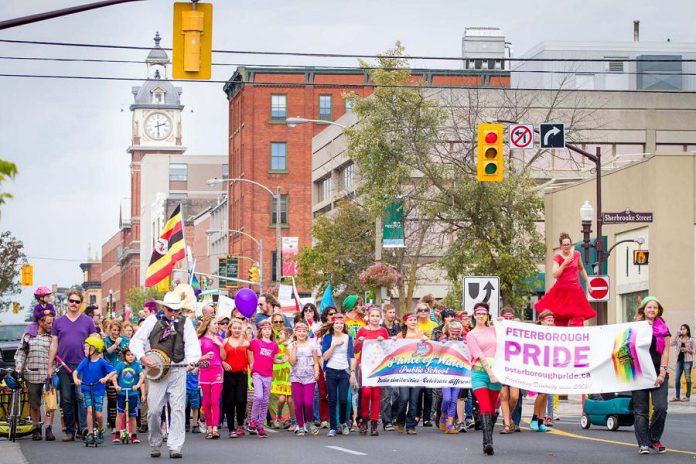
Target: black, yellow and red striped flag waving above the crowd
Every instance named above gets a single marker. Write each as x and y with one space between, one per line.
168 249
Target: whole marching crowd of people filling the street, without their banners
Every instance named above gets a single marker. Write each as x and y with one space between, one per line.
104 369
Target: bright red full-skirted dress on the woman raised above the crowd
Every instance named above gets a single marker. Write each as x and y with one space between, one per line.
566 298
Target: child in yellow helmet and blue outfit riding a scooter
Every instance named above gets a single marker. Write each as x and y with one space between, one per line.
91 375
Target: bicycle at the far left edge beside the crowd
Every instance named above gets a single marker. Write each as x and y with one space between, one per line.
12 424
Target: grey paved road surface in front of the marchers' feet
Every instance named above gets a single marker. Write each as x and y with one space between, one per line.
567 444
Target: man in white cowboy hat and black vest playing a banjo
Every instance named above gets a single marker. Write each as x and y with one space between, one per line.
175 335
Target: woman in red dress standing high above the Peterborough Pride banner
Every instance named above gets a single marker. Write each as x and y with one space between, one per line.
566 299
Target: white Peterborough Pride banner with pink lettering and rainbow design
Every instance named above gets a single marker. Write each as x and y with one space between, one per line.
574 360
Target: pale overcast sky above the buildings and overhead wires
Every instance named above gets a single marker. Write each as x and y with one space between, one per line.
69 137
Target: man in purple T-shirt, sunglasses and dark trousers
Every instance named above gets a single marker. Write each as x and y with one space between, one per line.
68 337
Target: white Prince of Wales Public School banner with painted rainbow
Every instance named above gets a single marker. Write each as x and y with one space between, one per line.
414 363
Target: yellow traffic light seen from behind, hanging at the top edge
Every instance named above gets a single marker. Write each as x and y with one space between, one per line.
192 41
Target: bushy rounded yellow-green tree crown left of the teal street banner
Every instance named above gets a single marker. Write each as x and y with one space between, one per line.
344 246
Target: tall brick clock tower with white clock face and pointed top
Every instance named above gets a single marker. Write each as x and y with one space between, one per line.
156 131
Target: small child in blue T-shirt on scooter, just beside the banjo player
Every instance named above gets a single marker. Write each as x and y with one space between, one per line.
128 382
